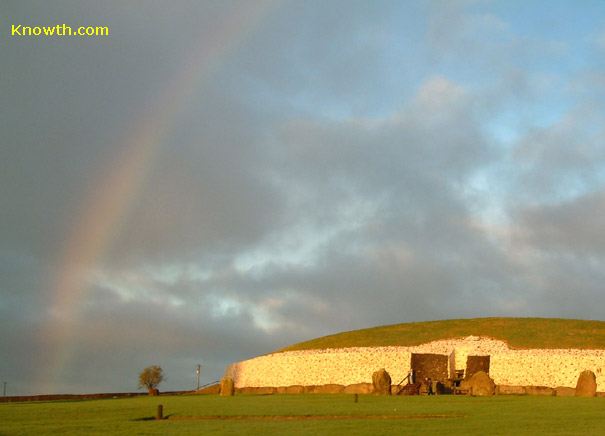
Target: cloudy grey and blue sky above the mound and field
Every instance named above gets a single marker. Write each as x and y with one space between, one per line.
215 180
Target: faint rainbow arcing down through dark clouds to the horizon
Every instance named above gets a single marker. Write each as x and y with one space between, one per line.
106 208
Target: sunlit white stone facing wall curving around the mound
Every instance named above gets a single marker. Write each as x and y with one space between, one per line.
346 366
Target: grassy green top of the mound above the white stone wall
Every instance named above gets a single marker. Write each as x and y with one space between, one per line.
520 333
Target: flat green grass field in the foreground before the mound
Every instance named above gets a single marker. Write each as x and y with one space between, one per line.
308 414
